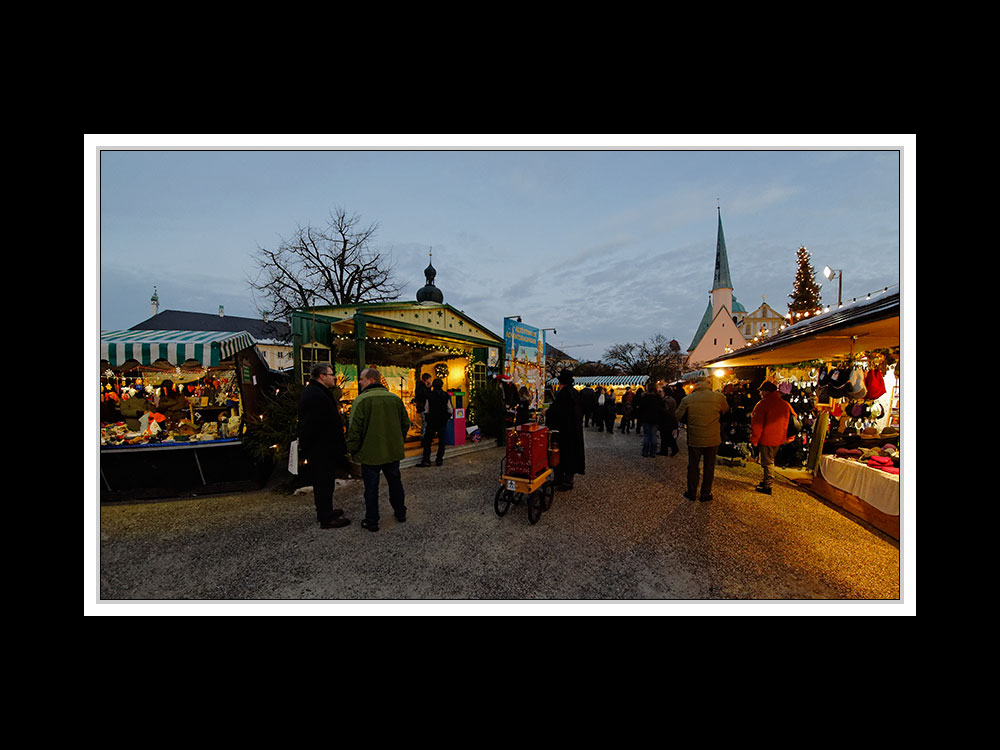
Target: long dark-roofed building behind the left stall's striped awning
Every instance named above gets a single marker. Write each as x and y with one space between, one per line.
273 338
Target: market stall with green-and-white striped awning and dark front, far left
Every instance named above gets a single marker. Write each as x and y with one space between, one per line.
173 409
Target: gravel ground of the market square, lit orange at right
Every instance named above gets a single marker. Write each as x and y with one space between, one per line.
624 534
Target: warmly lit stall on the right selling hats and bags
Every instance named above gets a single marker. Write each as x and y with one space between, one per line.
840 370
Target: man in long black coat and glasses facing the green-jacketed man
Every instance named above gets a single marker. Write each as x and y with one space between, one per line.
322 443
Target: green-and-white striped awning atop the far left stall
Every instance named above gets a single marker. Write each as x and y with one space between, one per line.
208 347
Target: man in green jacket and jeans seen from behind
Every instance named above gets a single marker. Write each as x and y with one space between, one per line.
375 438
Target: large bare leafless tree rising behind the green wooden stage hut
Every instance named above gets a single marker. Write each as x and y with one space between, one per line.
332 265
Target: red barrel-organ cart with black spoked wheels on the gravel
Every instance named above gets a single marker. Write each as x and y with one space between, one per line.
526 471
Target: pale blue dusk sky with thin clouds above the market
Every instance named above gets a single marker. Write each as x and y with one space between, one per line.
607 239
